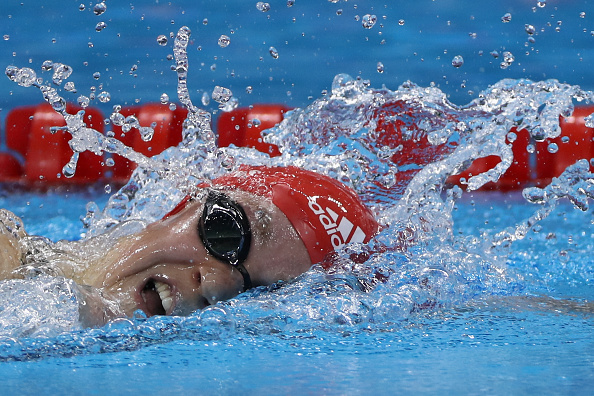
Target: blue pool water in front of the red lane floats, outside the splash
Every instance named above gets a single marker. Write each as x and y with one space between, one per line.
493 344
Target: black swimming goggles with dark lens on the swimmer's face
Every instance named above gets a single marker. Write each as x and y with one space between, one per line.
225 232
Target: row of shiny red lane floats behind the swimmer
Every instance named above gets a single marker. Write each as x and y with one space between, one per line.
44 154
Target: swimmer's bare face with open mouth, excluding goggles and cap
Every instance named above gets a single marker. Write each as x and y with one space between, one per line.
166 269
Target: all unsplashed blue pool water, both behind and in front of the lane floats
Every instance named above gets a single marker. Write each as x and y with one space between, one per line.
489 340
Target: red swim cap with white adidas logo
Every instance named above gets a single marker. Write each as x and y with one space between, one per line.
325 213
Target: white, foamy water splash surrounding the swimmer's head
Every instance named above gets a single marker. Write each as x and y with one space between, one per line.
395 148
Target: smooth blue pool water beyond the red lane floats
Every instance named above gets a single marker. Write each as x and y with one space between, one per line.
314 44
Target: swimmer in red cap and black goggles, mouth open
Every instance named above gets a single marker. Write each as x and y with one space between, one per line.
254 227
